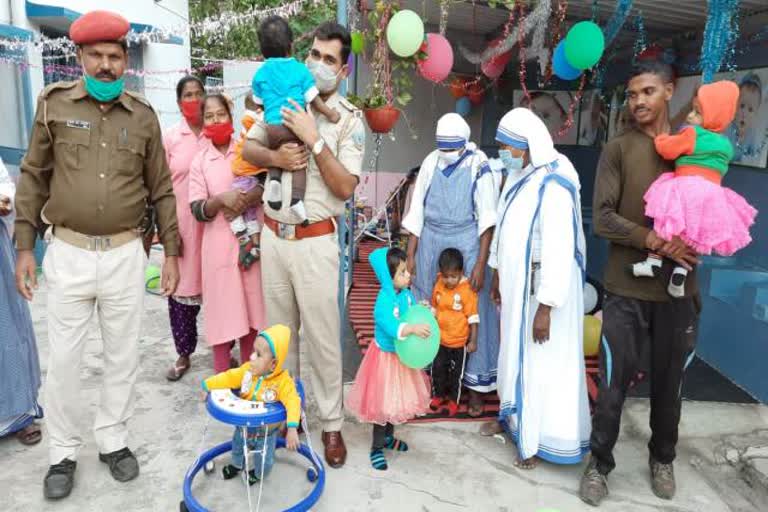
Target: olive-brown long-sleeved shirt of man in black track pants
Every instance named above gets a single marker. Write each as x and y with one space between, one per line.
628 165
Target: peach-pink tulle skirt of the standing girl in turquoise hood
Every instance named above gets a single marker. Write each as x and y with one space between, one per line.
387 391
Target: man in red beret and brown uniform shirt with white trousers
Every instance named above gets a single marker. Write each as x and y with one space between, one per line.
95 161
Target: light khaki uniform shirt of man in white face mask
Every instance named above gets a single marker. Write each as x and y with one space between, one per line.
346 140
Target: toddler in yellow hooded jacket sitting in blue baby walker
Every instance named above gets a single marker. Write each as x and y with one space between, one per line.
262 379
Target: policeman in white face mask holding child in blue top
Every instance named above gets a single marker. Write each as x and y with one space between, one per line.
300 263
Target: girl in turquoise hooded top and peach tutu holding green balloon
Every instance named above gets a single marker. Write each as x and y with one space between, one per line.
386 392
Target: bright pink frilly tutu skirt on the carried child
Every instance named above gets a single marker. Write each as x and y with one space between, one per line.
706 216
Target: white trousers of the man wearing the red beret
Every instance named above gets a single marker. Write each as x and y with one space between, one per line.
79 282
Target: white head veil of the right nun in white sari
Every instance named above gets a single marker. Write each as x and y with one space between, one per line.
522 129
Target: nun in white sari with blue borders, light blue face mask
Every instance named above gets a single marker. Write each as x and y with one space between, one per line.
539 251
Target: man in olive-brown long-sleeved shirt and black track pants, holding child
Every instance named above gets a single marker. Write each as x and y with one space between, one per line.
640 319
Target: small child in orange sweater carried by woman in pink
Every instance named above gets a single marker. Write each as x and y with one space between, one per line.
246 227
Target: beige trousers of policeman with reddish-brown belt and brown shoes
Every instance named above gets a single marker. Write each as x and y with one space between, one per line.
300 279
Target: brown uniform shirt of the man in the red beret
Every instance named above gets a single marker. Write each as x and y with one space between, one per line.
92 168
